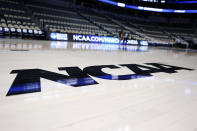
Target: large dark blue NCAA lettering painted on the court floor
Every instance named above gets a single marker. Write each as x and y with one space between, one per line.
28 80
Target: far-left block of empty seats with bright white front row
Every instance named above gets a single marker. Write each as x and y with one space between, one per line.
15 21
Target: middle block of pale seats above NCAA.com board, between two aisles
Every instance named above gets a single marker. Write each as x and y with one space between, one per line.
63 20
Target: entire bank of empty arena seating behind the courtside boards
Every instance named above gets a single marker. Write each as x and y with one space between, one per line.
35 20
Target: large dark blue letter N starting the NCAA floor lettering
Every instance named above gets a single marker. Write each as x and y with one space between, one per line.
28 81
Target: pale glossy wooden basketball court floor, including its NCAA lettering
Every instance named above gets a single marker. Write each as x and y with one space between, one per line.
63 86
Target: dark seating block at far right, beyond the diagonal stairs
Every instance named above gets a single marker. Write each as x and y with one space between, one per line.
157 24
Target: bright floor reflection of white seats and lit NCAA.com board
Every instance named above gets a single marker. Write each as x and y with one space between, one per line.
54 45
